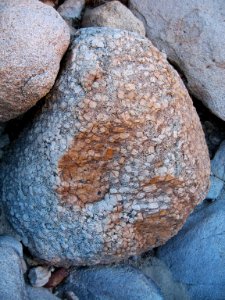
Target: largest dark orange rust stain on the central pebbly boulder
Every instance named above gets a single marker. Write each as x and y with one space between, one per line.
85 168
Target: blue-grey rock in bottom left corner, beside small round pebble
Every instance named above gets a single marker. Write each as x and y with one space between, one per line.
12 285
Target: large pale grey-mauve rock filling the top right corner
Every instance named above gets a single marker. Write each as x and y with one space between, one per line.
186 30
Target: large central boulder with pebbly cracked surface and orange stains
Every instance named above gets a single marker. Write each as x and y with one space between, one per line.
115 162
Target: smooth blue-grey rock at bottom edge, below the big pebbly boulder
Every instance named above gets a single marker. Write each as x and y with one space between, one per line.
111 283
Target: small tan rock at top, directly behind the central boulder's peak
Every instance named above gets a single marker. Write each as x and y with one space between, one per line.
113 14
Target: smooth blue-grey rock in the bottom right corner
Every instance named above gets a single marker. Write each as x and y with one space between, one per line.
196 255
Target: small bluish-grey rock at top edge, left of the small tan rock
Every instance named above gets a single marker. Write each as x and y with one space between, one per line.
71 11
